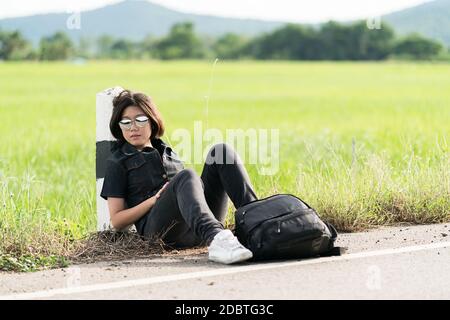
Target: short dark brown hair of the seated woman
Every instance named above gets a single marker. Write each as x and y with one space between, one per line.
129 98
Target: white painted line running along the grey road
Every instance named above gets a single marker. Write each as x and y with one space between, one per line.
211 273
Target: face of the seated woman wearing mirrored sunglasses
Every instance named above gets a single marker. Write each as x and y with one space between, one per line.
139 133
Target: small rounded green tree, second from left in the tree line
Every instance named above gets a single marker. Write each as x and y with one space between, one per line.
56 47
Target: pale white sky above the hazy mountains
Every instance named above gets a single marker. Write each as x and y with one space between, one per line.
278 10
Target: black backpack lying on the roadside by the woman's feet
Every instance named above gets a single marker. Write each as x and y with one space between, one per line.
283 226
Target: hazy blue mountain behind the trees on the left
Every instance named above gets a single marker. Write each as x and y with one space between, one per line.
131 19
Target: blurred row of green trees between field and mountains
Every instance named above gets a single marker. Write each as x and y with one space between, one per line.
330 41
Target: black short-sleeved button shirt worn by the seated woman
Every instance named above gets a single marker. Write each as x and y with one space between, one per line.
138 175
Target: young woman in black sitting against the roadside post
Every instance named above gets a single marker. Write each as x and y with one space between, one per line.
147 185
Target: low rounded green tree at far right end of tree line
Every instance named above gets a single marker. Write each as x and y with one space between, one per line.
417 47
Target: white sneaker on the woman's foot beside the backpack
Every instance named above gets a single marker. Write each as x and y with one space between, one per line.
225 248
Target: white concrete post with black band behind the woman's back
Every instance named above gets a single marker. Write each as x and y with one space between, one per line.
104 139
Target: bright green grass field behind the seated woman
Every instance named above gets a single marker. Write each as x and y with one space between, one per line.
364 143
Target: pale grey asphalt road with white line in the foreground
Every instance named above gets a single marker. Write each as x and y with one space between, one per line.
408 262
